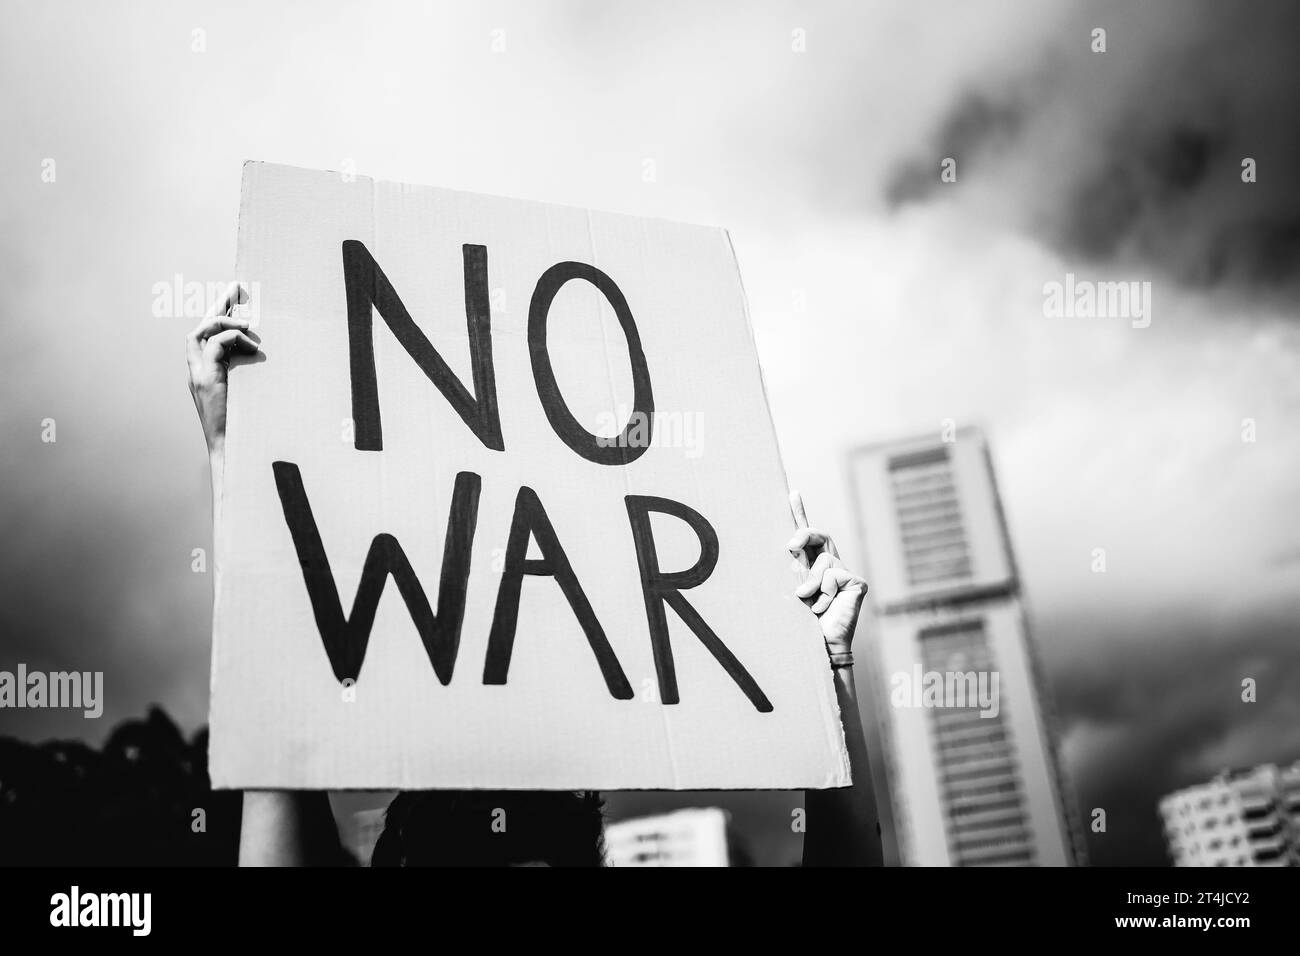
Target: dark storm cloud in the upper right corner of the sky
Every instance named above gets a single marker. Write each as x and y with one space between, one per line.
1159 127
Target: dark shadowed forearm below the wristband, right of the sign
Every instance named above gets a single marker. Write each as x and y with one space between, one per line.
842 827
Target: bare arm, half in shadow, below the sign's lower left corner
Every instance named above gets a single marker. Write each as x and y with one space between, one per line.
289 829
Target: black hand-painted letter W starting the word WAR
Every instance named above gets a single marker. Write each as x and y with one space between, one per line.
346 638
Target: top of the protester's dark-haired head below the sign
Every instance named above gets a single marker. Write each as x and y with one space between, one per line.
492 828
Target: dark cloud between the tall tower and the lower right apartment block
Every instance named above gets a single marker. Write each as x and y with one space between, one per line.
1167 715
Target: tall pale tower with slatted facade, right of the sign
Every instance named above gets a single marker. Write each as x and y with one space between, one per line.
963 716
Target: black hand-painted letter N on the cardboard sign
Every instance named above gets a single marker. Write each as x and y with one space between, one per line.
369 289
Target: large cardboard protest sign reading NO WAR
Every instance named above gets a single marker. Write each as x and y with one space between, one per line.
504 508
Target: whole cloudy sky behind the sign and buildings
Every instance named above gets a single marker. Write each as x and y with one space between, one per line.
883 300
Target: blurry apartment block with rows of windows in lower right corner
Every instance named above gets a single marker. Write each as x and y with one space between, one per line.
1240 819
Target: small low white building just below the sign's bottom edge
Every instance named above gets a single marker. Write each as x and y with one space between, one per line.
684 838
